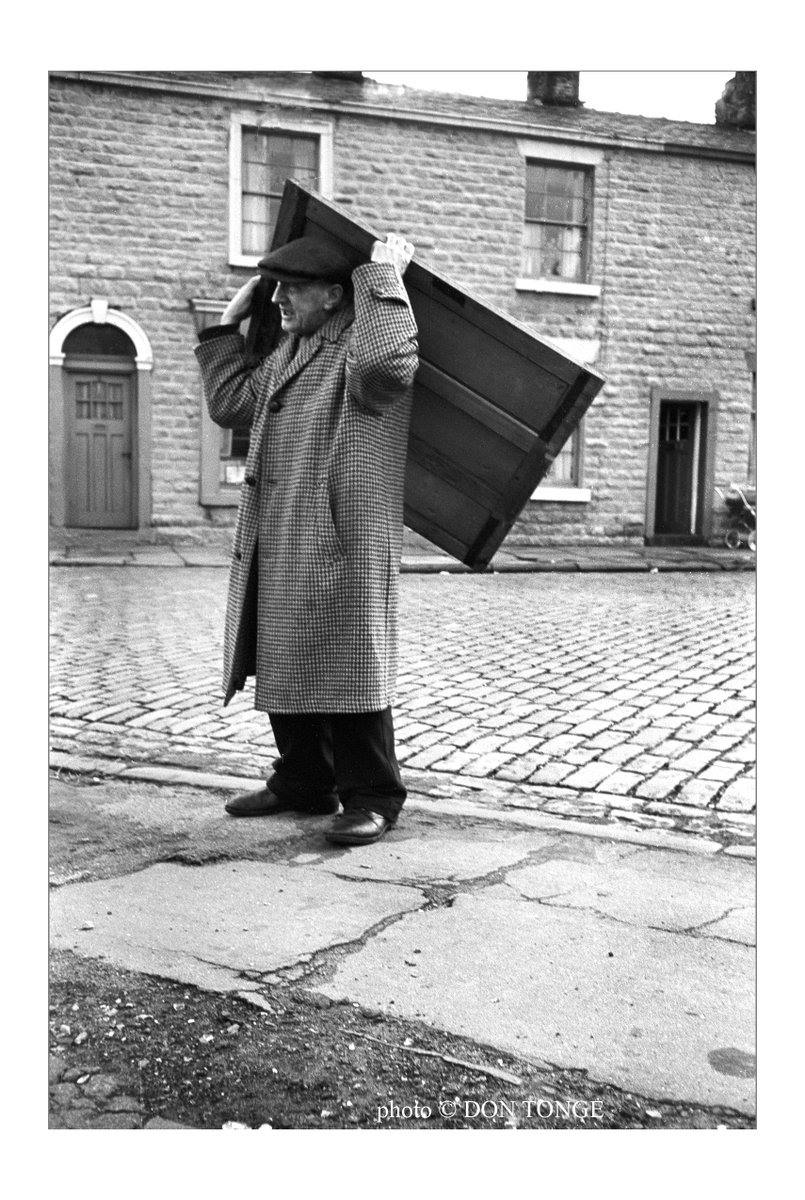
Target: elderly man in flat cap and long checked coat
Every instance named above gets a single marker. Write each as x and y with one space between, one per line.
313 608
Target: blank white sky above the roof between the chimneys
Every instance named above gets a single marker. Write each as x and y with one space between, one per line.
678 95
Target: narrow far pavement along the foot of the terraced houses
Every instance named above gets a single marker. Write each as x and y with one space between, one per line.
99 548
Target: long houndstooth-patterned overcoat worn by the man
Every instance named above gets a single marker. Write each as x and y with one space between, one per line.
314 611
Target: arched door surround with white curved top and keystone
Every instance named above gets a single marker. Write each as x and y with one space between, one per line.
99 313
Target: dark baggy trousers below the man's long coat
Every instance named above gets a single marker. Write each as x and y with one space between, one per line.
352 754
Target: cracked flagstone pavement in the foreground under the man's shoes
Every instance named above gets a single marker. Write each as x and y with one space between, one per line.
627 961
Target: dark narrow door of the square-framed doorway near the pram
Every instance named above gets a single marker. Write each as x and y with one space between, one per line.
677 461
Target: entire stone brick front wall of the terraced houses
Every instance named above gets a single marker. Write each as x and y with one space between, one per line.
140 212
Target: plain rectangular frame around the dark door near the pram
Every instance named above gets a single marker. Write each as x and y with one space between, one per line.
705 482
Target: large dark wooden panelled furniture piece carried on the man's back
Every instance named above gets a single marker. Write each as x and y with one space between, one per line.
494 404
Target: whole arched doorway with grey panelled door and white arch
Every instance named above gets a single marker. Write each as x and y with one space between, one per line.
100 419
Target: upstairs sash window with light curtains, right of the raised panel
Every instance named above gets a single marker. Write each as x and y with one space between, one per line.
556 233
